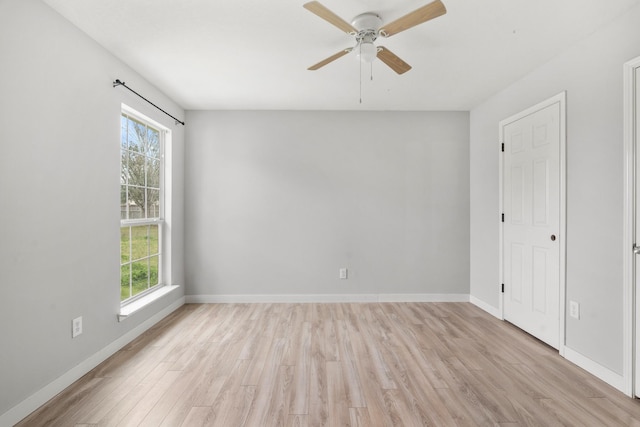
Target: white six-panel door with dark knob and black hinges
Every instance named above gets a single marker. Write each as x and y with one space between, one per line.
531 229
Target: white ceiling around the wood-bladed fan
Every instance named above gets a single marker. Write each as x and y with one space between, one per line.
254 54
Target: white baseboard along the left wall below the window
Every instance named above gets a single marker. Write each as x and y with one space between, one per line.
42 396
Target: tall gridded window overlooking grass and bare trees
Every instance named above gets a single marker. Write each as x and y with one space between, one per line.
141 206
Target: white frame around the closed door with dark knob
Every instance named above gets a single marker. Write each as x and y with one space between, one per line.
561 99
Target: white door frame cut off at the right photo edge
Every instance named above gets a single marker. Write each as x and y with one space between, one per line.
631 298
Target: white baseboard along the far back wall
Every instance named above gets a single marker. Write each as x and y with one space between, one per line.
325 298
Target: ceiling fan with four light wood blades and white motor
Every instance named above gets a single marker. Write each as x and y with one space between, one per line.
367 27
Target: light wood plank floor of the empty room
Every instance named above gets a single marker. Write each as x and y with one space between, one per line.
393 364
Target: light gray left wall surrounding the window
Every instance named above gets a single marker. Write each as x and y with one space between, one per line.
59 190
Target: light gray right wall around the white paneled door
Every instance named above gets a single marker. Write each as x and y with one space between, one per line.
591 73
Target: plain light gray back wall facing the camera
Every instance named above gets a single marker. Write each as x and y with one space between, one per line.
277 201
